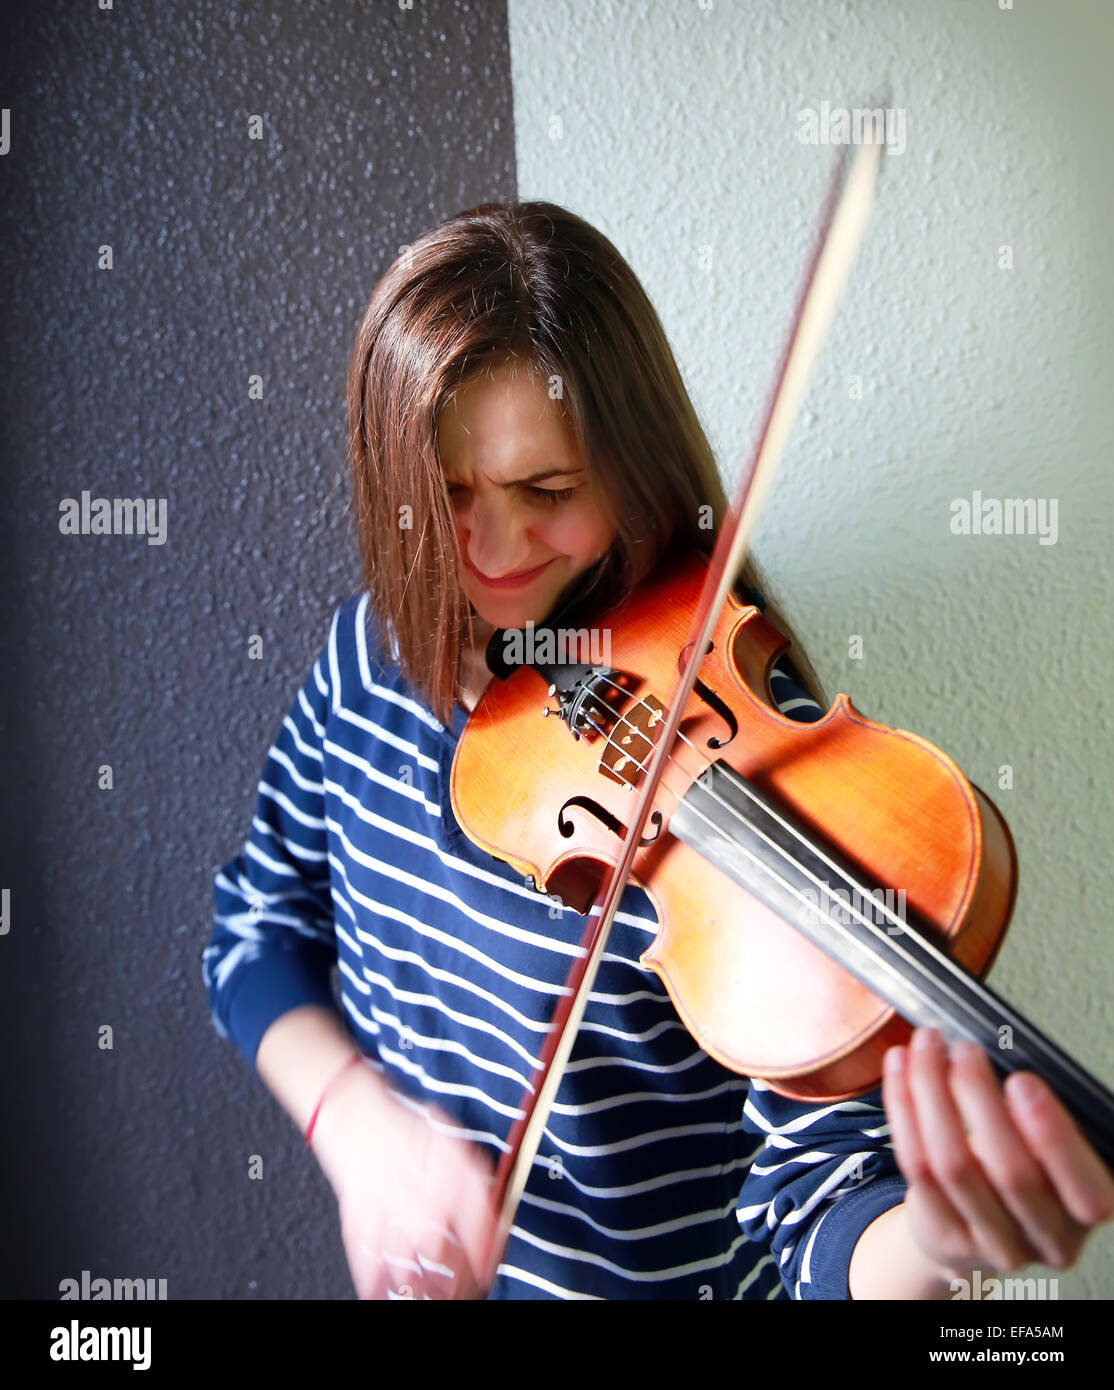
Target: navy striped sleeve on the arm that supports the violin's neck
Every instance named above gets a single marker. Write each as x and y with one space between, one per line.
821 1174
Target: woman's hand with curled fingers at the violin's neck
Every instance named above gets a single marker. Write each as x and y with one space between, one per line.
999 1174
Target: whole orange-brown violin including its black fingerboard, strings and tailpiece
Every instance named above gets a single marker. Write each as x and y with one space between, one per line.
763 829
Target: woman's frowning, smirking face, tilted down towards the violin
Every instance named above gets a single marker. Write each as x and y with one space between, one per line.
524 498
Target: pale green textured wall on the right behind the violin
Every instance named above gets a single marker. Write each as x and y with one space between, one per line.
674 127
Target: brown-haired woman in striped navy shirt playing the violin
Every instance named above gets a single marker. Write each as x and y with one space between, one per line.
521 440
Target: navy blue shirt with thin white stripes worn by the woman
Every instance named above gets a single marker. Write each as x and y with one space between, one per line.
661 1174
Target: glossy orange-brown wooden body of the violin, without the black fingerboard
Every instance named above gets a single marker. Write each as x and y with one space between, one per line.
757 995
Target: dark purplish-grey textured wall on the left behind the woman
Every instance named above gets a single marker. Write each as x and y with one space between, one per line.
232 258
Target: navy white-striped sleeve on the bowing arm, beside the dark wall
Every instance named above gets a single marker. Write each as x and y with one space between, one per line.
273 942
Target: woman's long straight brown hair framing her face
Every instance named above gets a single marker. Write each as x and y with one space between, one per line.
532 283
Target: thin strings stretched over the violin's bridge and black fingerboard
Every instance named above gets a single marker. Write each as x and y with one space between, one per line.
960 1000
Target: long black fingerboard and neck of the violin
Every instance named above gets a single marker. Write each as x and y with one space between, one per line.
813 888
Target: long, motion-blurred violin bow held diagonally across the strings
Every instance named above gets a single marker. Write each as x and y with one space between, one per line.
839 233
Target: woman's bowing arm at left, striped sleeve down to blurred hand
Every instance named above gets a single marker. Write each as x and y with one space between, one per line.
405 1184
